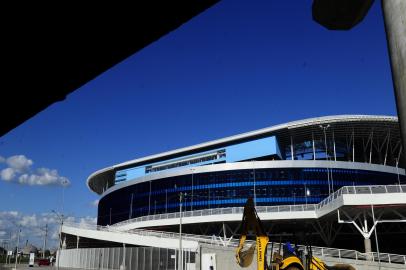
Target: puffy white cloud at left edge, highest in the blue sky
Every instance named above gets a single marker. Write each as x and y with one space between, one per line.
19 171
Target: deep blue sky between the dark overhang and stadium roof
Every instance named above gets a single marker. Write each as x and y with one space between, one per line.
237 67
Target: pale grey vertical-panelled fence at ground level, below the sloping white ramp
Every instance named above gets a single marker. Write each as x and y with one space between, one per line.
134 258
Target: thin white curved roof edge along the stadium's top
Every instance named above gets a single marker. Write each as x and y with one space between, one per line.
289 125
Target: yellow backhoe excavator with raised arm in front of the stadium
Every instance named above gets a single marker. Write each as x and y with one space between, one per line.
290 260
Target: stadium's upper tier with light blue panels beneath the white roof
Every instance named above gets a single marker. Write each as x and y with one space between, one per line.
350 138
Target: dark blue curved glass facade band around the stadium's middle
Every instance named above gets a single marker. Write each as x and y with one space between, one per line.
276 186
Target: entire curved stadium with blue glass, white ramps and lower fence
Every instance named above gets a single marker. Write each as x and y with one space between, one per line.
331 182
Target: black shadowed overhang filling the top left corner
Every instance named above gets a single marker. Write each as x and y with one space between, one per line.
50 50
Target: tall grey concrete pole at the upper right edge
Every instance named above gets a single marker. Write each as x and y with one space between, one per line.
394 13
